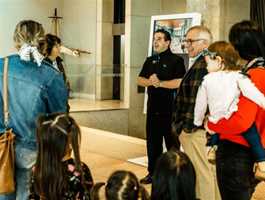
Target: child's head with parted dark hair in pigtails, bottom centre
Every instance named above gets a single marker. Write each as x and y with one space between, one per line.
121 185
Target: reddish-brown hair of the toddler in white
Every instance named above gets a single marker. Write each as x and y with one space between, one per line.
229 55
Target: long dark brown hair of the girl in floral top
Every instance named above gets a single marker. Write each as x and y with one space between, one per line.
55 134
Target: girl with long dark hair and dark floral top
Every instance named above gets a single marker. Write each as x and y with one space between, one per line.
56 175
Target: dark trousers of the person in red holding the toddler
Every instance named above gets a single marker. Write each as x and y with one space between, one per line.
234 167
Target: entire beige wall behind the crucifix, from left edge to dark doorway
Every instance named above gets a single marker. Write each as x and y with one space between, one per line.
77 29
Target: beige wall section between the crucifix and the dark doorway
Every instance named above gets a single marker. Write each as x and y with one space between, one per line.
79 30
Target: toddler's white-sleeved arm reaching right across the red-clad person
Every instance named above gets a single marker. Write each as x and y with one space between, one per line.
250 91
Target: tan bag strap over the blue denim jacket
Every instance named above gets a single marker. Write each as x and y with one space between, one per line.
5 92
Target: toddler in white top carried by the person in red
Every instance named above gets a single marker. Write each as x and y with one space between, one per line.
219 94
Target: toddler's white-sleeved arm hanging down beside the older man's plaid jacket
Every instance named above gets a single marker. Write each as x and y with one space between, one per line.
200 105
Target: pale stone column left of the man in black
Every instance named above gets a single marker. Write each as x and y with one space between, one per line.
137 28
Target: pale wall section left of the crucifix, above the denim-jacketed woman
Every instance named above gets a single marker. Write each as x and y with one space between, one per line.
13 11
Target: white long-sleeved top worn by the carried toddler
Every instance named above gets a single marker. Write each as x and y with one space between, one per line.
220 92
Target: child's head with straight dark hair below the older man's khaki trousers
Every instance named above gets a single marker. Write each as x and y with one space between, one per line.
174 177
